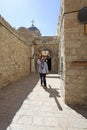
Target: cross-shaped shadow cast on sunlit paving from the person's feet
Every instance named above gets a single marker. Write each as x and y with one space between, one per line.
54 94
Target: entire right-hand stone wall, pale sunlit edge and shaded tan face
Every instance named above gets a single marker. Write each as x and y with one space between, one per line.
73 48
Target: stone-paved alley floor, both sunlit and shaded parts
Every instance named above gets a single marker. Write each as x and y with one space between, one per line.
25 105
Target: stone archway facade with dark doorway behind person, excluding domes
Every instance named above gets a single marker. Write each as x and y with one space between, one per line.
47 45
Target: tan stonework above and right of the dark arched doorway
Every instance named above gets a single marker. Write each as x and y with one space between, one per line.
49 43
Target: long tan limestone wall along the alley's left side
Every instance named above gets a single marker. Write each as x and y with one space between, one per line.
14 55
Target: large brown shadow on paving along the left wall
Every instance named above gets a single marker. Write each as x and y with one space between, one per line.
12 97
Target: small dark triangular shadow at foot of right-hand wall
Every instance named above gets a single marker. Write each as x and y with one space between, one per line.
80 109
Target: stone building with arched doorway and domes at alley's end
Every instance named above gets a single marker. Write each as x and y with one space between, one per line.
41 44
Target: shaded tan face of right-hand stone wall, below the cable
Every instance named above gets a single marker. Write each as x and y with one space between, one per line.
75 50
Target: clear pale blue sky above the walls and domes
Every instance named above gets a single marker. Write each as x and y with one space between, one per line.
20 13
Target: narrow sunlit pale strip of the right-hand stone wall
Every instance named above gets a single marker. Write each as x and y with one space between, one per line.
61 48
